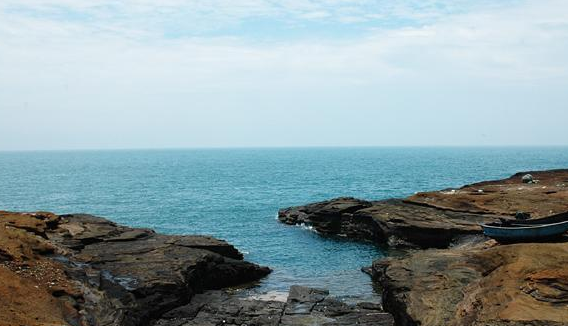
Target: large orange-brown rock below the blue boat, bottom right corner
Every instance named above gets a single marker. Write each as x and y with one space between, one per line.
481 283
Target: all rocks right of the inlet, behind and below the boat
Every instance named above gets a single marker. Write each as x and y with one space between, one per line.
451 274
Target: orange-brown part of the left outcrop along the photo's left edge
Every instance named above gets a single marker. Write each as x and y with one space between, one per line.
32 285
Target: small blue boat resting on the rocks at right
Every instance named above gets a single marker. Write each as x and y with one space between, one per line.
527 230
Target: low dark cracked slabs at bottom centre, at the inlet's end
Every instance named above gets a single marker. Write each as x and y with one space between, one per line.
304 306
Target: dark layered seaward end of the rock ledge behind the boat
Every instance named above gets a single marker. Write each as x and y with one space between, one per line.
387 221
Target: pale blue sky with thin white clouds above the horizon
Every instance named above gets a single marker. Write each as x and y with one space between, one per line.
101 74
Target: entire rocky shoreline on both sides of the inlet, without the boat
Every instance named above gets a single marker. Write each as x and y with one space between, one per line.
85 270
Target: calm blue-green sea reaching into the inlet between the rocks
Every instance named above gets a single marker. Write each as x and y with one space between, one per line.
234 194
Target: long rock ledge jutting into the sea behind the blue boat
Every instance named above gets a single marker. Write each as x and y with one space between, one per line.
435 219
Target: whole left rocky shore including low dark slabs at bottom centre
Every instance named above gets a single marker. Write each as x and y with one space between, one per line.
83 270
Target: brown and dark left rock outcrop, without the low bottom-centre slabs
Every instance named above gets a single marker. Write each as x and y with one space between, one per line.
85 270
